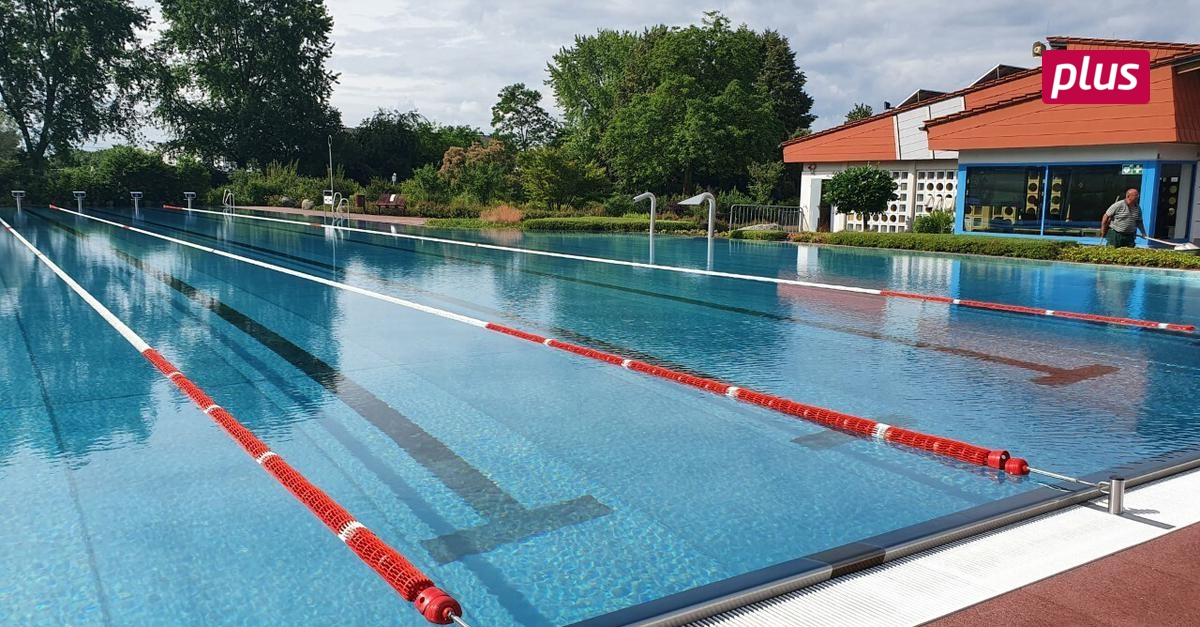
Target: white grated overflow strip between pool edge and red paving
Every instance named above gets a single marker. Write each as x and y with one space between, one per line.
926 587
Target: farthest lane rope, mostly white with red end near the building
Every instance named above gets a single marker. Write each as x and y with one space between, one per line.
885 294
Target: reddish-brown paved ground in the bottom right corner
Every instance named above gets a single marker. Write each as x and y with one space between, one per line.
1154 584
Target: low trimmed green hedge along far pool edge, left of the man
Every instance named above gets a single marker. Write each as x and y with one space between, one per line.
1029 249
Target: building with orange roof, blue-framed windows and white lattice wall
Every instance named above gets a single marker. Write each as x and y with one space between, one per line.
1009 164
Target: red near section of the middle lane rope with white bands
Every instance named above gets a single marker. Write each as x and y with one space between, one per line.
975 455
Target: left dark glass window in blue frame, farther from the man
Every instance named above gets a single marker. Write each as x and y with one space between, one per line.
1006 200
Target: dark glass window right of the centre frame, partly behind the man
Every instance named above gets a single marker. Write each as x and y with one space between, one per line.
1079 196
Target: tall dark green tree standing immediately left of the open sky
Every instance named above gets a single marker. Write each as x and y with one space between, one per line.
248 82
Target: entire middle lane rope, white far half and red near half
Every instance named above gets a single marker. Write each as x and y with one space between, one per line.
998 459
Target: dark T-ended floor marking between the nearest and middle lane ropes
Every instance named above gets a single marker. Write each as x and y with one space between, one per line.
508 521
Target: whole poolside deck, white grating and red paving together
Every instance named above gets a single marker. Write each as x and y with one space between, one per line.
1076 566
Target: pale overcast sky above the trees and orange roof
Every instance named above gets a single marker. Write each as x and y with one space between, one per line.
449 58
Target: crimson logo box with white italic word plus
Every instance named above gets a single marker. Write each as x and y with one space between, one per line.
1096 77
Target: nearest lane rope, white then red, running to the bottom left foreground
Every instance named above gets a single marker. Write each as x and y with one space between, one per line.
435 605
